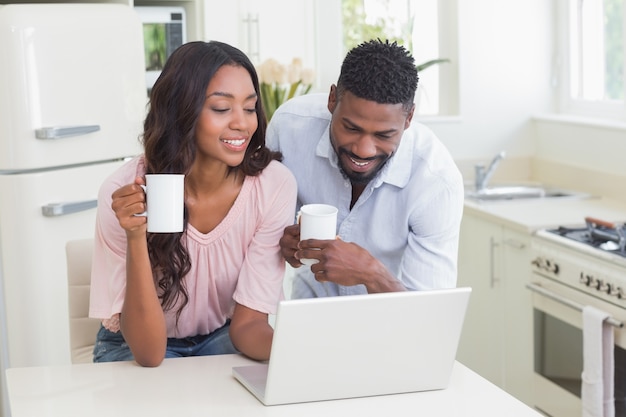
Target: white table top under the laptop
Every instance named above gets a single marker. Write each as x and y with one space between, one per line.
204 386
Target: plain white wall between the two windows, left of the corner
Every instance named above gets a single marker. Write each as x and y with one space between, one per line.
505 69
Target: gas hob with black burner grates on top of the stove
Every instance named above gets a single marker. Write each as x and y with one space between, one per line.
604 236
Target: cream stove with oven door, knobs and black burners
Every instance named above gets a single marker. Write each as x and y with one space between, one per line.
568 275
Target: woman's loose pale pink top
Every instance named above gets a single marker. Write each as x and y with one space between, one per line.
239 261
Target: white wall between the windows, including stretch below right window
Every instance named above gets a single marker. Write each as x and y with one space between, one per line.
507 50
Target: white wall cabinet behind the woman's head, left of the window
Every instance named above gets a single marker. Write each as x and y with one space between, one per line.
283 30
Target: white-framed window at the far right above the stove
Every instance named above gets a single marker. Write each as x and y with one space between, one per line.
590 55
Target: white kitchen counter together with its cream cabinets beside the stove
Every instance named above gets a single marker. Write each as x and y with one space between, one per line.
496 251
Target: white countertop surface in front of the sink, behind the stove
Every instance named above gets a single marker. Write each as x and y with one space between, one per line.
533 214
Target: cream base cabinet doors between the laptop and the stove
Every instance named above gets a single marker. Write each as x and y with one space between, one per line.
497 338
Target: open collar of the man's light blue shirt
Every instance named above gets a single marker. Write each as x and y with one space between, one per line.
397 170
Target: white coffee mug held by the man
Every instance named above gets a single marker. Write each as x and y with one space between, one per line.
317 221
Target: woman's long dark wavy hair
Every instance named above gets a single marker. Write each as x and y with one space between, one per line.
169 140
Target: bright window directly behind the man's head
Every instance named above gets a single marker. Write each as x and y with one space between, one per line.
426 27
